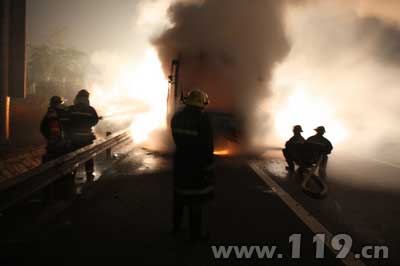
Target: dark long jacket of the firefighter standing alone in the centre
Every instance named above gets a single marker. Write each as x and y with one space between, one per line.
192 133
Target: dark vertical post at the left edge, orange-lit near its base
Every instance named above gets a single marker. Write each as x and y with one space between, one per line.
12 59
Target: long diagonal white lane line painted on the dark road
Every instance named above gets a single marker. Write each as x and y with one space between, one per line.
304 215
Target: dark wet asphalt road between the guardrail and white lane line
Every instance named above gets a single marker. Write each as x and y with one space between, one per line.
125 219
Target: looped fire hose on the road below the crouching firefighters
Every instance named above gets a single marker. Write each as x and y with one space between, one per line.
308 174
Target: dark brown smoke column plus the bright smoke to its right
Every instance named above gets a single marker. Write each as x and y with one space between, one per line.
333 63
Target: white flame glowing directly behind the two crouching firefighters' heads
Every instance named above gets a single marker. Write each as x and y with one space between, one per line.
310 112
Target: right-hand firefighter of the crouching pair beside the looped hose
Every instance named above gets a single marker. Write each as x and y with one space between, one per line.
323 147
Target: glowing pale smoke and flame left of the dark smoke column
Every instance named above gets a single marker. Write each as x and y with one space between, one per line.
122 70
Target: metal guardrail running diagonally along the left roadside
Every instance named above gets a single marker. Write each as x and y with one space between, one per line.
21 187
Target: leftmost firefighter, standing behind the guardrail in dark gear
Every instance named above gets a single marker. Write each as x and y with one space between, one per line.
53 128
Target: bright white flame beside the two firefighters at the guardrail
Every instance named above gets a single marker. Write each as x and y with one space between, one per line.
139 91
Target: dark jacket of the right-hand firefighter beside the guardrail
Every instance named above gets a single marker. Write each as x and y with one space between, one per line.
82 118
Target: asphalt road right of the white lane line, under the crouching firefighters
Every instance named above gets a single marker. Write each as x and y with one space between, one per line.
362 200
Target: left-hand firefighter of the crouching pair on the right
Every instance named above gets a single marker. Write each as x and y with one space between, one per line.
293 147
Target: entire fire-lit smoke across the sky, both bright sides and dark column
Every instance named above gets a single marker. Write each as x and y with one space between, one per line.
272 63
